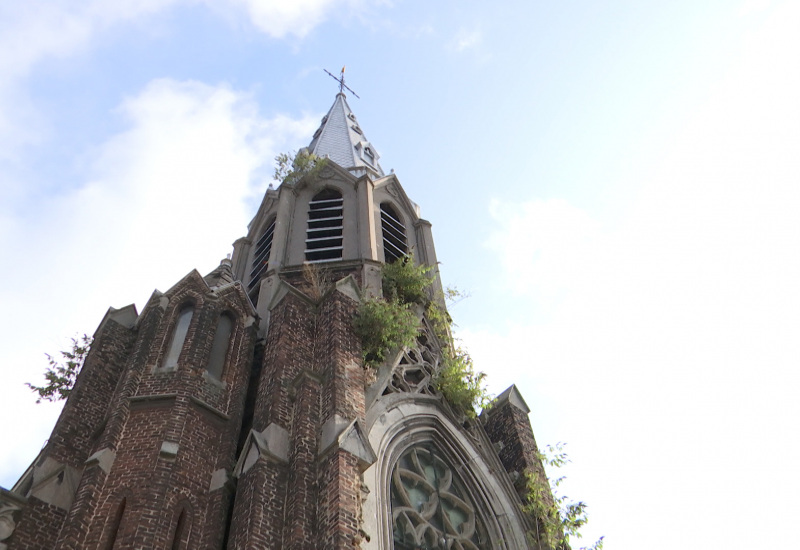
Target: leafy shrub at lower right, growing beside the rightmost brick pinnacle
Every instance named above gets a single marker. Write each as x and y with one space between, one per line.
557 518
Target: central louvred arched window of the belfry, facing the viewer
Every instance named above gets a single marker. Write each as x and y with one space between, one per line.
325 225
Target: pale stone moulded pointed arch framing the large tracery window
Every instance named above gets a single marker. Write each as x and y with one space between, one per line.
422 423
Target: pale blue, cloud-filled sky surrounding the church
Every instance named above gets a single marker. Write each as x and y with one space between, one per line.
616 185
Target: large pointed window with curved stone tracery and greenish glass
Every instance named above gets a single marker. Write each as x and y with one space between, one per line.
431 507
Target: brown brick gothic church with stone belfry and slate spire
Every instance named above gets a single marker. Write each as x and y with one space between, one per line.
236 411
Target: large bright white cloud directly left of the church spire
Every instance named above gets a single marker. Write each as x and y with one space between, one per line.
167 195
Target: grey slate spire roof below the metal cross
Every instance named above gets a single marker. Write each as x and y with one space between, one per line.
341 139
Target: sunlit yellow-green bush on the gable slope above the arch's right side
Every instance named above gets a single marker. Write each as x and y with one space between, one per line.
464 388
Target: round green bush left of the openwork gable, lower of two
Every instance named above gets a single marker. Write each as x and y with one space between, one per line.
383 326
